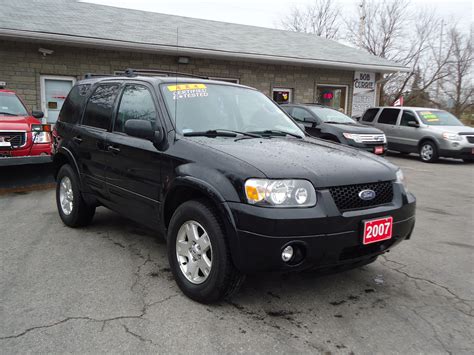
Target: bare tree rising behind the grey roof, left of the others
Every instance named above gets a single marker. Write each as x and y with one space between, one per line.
320 17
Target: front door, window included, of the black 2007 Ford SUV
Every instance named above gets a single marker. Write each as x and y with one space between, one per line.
134 164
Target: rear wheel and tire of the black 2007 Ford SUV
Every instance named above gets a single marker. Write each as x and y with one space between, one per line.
72 208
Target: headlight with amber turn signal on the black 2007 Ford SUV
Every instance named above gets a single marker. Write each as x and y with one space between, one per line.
280 193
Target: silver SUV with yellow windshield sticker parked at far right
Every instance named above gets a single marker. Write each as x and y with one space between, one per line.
429 132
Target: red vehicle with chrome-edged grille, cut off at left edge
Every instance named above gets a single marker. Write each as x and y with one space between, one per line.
23 139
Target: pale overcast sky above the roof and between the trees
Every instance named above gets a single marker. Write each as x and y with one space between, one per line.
266 13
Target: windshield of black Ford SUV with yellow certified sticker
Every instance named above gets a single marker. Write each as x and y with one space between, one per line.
201 107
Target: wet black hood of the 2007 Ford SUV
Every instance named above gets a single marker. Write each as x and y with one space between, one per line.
323 163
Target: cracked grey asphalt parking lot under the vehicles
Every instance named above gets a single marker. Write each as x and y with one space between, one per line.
108 288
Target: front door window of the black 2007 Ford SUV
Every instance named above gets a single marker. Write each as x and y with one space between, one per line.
137 104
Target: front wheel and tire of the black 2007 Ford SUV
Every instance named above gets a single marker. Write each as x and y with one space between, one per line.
222 279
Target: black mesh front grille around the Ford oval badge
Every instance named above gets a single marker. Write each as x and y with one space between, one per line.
347 197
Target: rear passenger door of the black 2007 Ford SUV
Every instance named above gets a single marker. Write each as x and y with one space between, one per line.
89 138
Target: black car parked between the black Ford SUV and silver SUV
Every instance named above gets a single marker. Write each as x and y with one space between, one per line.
327 123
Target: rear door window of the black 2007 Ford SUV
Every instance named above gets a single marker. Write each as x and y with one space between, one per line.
100 106
